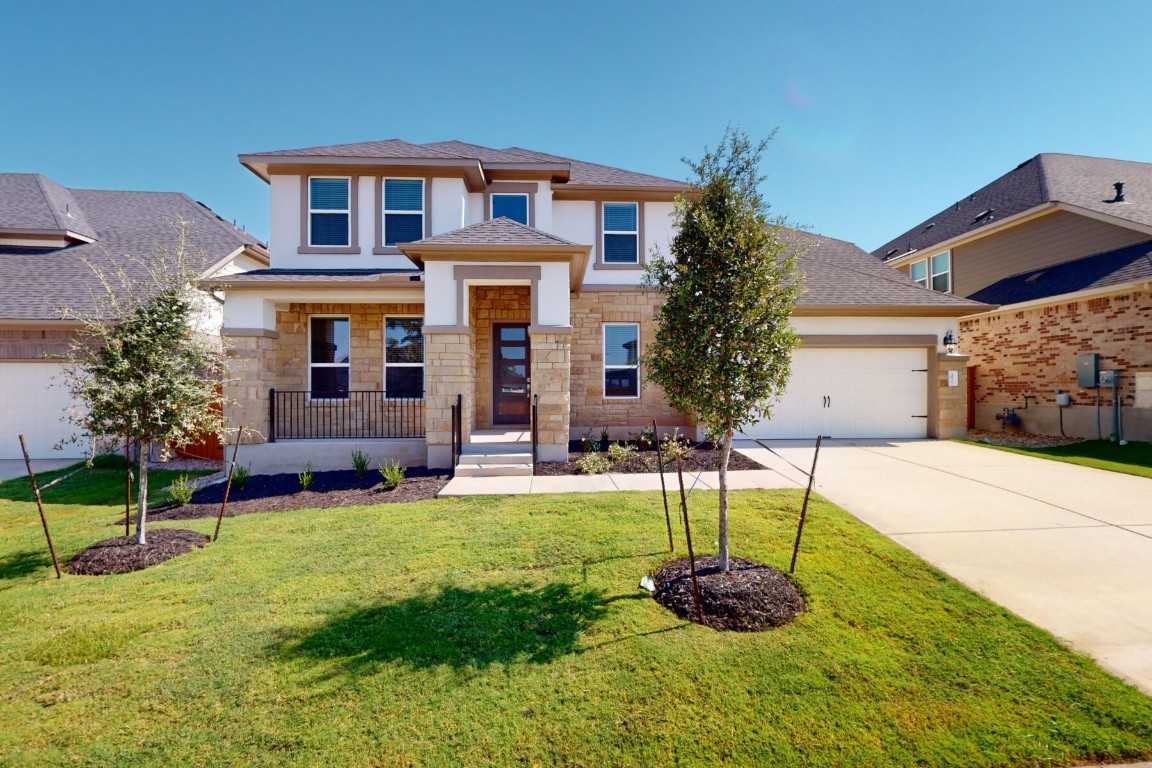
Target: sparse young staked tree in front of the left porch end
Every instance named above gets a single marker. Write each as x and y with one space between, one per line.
142 363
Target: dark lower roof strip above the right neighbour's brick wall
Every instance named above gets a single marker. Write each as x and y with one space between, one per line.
1101 271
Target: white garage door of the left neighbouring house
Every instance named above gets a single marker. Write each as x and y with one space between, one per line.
33 405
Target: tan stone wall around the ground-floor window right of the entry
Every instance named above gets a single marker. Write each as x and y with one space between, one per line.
590 410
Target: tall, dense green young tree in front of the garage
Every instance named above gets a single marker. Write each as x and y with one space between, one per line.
724 344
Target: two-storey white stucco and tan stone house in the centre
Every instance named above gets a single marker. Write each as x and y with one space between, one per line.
406 277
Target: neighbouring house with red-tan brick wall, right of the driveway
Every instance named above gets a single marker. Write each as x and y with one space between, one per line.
1064 245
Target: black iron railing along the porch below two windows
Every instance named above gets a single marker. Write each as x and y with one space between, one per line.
353 415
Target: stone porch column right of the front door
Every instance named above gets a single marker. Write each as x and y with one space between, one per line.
552 383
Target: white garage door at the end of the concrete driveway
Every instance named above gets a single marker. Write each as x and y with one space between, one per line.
852 393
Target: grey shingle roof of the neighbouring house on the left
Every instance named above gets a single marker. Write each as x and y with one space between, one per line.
37 284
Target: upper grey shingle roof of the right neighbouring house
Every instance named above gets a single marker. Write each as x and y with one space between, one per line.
1078 183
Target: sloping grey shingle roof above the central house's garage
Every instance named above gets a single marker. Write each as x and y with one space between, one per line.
840 276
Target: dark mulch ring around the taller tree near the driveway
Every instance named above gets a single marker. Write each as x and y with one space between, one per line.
749 598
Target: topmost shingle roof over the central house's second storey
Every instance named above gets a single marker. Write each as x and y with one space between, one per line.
572 173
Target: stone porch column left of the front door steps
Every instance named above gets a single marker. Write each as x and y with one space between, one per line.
451 371
